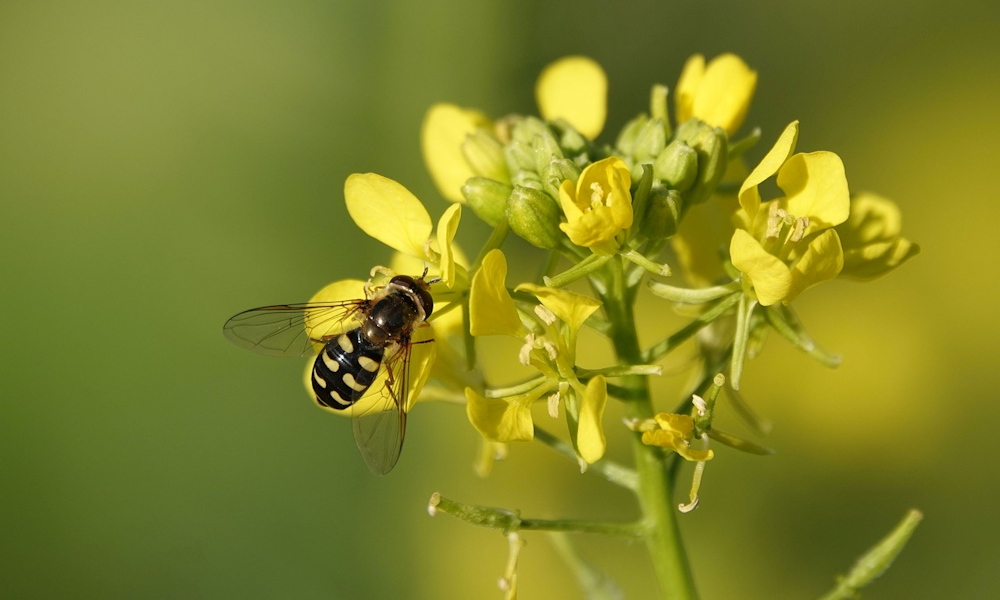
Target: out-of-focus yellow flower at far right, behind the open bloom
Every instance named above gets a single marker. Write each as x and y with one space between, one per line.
872 245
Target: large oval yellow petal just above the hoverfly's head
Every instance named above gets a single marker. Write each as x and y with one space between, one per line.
388 212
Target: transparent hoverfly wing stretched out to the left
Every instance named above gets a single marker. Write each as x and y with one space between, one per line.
292 329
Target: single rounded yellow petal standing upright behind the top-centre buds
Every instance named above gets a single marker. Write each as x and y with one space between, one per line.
574 89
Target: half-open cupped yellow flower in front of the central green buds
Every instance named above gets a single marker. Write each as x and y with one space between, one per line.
598 206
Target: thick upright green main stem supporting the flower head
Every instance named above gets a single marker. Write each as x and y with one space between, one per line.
663 540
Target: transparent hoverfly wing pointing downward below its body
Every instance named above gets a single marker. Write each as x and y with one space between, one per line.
379 426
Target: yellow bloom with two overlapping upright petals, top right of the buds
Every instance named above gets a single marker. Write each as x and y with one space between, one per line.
718 94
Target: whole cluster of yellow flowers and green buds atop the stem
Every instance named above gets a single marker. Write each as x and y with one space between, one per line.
674 191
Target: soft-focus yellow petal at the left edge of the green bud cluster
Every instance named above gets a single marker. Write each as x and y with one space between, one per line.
445 128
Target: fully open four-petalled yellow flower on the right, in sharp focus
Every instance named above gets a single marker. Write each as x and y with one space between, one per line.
787 244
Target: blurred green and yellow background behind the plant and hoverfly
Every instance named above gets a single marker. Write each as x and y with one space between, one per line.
165 165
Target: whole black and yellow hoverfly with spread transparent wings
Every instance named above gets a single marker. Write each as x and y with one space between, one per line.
358 337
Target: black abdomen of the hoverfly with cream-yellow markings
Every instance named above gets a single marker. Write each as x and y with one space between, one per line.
345 369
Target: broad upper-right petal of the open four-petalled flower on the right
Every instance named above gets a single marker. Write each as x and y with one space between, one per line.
815 186
